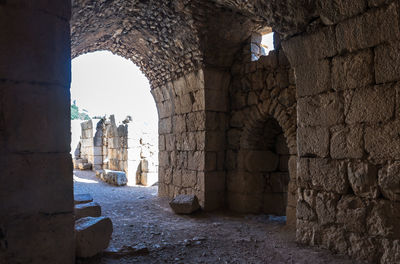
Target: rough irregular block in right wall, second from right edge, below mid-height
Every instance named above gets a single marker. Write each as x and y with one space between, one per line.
363 179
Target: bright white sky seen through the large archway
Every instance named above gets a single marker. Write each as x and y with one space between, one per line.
105 84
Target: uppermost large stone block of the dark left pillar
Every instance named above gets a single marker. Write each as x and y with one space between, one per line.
49 55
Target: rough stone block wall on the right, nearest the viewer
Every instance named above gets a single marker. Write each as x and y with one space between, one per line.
348 124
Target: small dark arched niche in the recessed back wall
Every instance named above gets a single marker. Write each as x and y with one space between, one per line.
260 184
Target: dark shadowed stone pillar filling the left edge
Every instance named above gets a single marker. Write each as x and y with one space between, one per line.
36 208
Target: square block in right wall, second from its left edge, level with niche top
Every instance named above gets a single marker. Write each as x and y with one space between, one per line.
347 142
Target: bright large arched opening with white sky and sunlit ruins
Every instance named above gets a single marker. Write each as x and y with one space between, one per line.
122 133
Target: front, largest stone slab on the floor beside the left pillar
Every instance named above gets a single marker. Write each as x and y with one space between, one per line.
92 235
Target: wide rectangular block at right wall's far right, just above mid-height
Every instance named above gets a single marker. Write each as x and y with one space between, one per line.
374 104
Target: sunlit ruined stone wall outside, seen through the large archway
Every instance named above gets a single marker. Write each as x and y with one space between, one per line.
106 146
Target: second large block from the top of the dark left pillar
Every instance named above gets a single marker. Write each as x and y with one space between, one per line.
26 127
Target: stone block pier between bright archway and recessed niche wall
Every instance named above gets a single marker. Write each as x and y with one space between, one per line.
192 113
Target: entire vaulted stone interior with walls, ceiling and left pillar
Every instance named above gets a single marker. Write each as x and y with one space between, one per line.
322 110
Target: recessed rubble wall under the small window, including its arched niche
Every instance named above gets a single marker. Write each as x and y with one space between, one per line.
261 150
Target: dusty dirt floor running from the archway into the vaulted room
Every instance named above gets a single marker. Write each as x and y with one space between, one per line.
142 219
